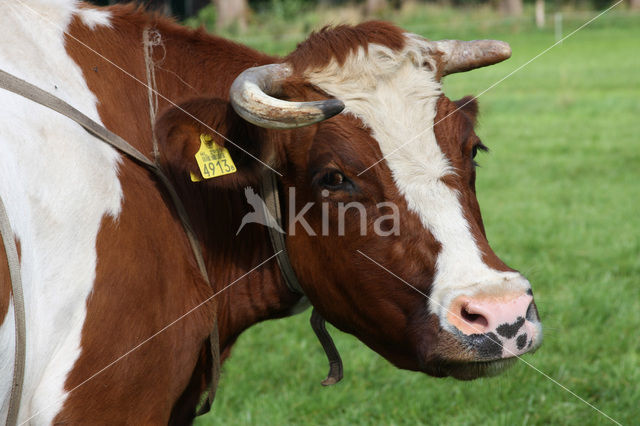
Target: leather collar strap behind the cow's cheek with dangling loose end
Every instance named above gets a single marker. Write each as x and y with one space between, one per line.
271 197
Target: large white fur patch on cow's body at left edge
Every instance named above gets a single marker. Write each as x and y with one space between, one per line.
57 183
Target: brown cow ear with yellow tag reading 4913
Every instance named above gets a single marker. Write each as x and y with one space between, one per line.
241 148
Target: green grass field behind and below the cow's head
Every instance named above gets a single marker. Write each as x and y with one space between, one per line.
560 195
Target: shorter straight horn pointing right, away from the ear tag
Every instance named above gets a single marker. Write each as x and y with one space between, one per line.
460 56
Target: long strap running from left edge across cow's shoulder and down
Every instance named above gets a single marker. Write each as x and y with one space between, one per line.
35 94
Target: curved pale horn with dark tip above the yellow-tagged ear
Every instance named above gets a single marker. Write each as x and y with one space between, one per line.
251 97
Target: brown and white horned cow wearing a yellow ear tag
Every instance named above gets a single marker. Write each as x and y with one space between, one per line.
106 263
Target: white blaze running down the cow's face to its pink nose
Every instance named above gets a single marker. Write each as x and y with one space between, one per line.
395 95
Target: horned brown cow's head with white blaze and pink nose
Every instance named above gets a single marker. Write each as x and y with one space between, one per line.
416 280
